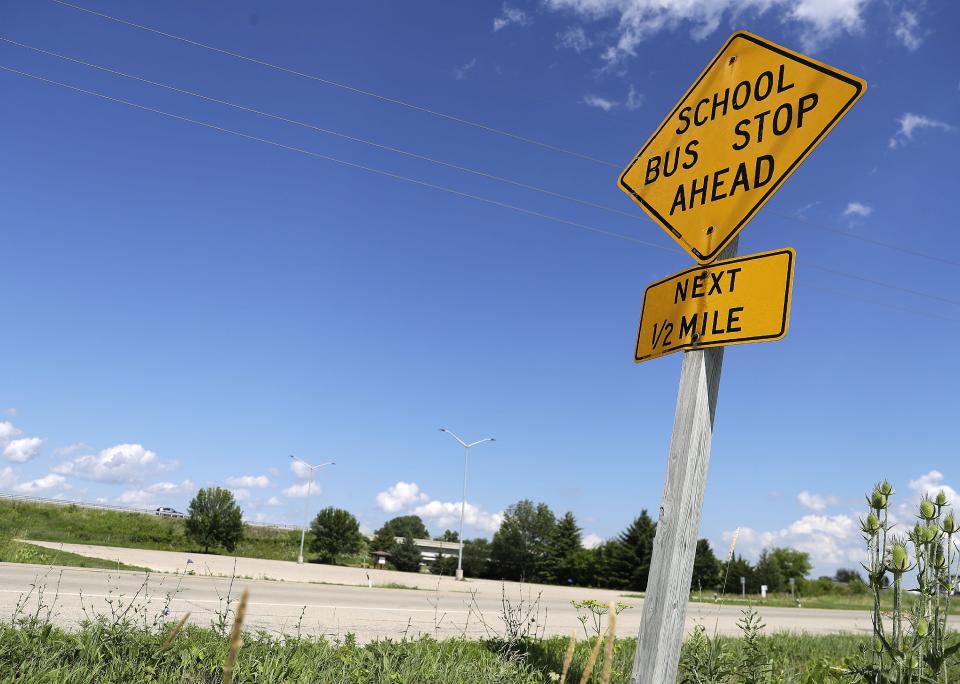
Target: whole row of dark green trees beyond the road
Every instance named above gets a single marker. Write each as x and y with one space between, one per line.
532 544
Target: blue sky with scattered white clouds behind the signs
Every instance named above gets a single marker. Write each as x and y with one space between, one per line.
185 307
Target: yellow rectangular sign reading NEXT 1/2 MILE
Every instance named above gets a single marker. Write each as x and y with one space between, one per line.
746 299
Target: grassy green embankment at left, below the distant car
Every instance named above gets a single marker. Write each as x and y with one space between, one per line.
78 525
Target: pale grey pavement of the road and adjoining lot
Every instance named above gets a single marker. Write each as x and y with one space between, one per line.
335 601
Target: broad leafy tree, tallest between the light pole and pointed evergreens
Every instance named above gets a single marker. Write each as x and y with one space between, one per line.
519 546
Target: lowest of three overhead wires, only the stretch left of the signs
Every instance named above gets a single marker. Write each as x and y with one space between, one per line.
370 169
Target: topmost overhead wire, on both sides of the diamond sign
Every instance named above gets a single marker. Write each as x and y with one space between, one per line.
490 129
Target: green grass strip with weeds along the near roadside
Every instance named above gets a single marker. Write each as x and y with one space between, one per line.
34 652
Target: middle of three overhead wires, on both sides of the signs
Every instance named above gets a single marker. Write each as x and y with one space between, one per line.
414 155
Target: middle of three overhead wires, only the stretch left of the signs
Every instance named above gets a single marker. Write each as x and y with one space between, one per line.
327 131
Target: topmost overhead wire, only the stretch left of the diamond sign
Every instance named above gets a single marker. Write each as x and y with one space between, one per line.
344 86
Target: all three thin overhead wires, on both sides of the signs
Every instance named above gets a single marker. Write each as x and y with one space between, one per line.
432 160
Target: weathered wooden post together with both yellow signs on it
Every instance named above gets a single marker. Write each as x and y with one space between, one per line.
744 126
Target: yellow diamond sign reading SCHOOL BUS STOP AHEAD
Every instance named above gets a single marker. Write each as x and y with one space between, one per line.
744 126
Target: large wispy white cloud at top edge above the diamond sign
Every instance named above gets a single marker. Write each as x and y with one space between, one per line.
818 21
